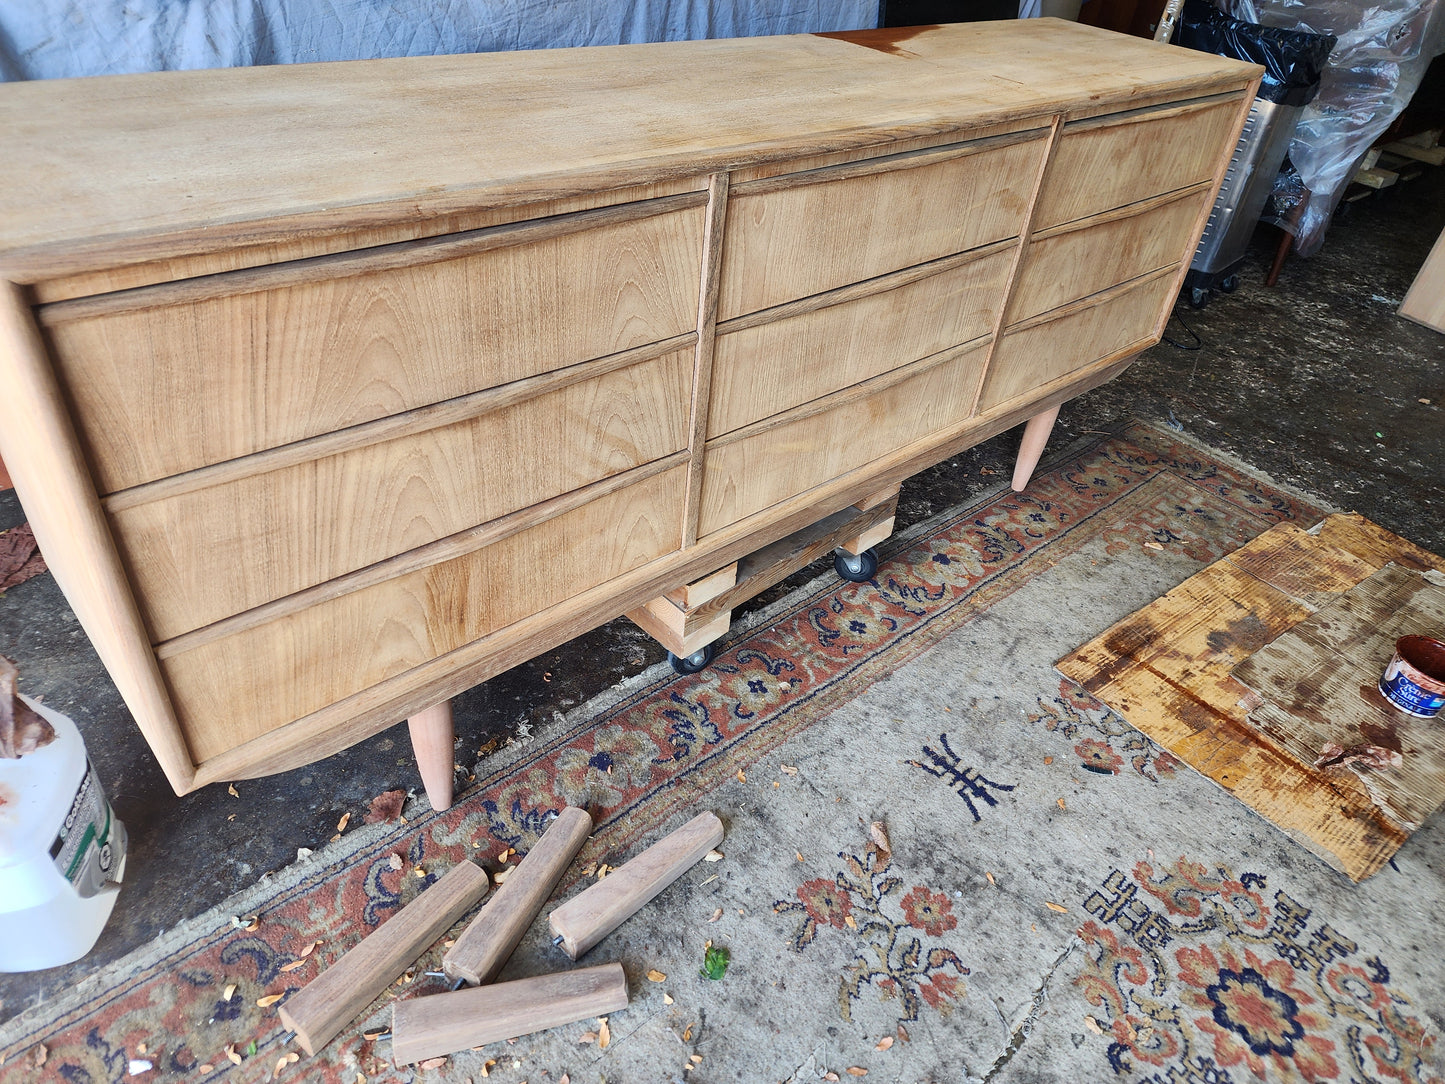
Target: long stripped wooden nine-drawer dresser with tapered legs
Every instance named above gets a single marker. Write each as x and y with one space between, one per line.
335 390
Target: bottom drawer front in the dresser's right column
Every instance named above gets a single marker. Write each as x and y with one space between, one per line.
1035 356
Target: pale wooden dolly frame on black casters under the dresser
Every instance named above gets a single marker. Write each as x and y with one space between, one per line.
690 618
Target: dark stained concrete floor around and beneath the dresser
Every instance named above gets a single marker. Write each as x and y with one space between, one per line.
1316 382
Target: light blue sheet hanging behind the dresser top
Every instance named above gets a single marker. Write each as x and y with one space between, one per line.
46 40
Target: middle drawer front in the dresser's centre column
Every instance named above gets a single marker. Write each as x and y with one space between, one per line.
761 371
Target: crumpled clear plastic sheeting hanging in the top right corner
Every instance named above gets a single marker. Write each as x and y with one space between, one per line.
1371 77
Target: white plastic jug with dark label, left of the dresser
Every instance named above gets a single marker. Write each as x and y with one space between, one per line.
63 852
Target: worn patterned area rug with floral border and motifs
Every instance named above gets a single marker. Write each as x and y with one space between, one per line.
1051 897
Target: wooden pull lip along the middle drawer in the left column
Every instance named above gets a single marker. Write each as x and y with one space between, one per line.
407 424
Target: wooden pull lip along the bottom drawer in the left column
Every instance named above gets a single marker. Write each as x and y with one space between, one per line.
423 557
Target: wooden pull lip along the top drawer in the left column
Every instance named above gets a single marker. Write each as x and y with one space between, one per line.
359 262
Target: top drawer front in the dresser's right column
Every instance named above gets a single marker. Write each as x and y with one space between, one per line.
1108 163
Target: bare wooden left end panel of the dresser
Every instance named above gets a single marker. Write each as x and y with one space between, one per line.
44 459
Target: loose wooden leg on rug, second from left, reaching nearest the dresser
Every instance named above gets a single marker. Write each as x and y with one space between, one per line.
486 946
